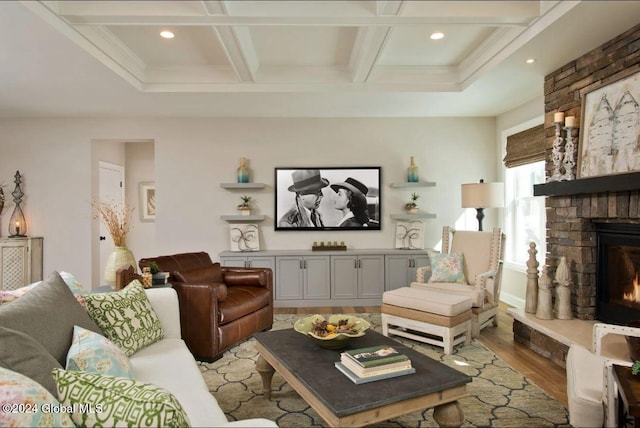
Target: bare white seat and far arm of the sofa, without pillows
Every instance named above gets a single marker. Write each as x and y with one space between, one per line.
169 364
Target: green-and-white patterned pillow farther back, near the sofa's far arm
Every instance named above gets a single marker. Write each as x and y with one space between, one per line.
126 317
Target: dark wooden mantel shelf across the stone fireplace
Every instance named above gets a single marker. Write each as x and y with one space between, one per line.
604 184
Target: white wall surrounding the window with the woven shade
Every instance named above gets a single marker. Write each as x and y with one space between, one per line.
514 279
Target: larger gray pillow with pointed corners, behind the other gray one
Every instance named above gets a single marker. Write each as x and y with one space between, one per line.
48 313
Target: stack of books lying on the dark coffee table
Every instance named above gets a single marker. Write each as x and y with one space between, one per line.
374 363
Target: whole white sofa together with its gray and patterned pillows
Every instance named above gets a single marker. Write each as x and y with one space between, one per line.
37 323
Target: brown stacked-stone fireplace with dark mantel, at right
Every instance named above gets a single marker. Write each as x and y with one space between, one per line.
575 209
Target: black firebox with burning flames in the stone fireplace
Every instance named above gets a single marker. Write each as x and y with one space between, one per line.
617 267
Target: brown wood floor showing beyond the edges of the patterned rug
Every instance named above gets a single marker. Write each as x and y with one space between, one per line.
540 370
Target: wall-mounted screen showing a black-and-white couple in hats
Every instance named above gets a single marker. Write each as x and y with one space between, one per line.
327 198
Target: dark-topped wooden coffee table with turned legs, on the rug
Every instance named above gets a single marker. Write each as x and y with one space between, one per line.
310 371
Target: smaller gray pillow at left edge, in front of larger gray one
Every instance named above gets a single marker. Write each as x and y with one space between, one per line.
21 353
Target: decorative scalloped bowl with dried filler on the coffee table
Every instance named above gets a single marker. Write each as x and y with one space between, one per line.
340 337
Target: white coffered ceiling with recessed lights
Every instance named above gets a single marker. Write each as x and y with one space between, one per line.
307 58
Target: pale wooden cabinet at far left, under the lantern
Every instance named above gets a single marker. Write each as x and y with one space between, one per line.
20 262
